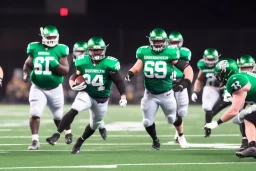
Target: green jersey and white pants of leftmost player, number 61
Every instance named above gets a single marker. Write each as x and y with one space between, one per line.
46 83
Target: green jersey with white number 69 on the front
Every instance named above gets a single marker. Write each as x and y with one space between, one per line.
157 68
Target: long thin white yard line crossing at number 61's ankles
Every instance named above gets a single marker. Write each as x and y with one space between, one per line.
129 136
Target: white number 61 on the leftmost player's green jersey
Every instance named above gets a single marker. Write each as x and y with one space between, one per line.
38 65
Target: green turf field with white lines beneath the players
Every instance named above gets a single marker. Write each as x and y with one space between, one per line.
128 147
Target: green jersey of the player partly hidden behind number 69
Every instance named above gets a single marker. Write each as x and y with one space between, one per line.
185 54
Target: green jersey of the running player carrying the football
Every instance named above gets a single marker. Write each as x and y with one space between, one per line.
97 78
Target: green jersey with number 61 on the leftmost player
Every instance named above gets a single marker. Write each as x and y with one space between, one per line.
42 74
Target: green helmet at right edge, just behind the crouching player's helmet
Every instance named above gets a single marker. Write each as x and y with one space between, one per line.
246 63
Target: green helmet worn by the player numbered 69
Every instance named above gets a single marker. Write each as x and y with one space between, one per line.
158 39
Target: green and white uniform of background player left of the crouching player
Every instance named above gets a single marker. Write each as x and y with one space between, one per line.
211 92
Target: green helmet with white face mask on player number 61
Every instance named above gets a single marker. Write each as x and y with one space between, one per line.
50 36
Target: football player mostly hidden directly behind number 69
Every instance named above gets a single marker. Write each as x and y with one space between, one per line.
176 40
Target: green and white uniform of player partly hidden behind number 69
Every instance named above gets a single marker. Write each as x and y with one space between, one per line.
182 97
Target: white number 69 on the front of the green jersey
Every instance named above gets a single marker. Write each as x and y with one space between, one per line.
155 69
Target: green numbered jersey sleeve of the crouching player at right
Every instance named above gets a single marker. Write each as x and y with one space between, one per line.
236 82
